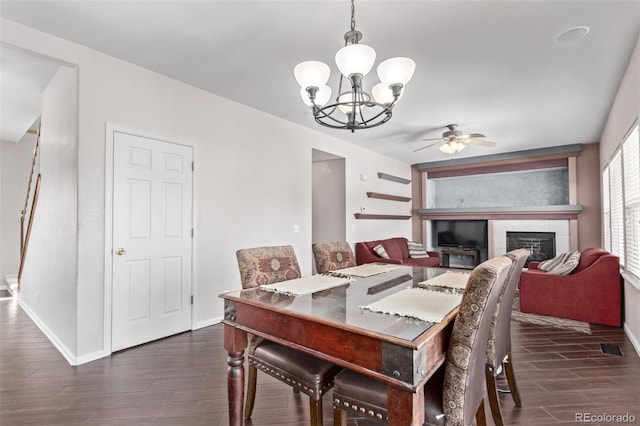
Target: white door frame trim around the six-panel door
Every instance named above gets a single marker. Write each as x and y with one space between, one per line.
110 130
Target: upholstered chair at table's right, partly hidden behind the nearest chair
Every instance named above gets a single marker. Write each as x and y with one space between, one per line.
499 357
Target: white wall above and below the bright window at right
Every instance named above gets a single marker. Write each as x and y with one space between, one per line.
625 109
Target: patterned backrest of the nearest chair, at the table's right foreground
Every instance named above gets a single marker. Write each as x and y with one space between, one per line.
464 381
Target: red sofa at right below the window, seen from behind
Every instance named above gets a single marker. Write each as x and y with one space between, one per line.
592 292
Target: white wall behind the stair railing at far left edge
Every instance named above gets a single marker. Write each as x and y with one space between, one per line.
15 164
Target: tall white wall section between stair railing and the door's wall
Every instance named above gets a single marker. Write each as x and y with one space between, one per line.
51 258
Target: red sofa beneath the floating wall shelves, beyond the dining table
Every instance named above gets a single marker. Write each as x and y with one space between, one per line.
398 252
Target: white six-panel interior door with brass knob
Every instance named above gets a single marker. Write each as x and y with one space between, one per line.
152 235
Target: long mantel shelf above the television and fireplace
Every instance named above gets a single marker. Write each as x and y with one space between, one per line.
525 212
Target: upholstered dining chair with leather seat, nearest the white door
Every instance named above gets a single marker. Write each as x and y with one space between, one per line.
305 373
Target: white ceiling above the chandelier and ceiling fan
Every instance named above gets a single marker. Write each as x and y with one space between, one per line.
492 67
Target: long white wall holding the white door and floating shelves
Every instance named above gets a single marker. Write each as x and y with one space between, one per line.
253 180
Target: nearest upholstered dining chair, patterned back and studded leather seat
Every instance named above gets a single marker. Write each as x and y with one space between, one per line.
455 394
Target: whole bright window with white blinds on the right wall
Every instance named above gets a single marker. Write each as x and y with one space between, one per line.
621 203
